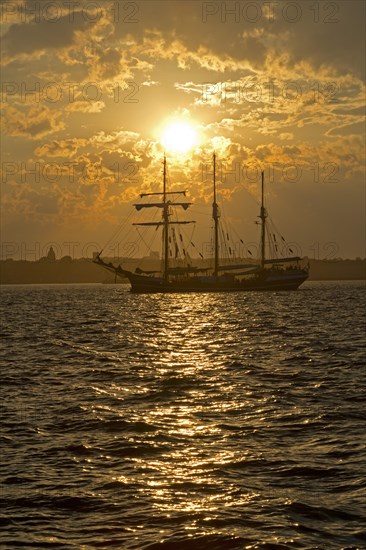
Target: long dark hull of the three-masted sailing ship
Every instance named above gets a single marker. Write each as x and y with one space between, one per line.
266 281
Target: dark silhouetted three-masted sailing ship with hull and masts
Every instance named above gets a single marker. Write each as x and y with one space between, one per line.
281 273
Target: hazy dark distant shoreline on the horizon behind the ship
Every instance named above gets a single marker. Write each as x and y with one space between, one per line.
84 271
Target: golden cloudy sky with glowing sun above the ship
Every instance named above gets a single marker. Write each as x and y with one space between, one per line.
93 92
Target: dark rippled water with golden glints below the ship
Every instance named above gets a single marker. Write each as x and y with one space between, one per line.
212 421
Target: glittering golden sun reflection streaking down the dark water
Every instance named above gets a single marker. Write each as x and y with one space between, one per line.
180 370
